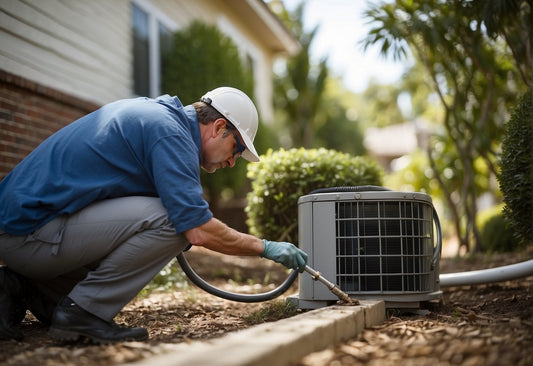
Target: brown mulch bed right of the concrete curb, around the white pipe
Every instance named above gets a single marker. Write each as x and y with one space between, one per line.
481 325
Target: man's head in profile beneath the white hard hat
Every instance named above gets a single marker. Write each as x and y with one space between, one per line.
222 147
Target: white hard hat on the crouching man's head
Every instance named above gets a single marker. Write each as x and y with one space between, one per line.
239 109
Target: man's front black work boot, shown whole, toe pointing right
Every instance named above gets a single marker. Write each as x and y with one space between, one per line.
70 322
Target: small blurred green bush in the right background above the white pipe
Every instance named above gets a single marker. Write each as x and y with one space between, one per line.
496 235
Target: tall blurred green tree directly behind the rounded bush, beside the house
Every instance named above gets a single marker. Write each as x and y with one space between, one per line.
306 97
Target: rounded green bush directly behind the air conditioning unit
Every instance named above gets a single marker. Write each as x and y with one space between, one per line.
283 176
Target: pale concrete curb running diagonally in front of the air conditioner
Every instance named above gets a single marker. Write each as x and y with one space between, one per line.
277 343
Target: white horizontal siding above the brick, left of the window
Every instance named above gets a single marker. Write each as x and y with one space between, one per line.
78 47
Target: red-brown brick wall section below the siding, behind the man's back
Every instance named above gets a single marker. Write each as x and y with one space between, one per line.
29 113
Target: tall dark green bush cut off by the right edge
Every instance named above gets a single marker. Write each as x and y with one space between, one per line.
517 171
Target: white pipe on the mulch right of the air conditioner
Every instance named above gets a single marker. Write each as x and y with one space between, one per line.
497 274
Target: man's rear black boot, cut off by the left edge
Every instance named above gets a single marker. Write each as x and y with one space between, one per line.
12 304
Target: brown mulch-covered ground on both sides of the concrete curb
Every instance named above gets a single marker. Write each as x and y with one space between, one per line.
472 325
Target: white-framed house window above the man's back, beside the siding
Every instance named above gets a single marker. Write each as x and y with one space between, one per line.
152 38
